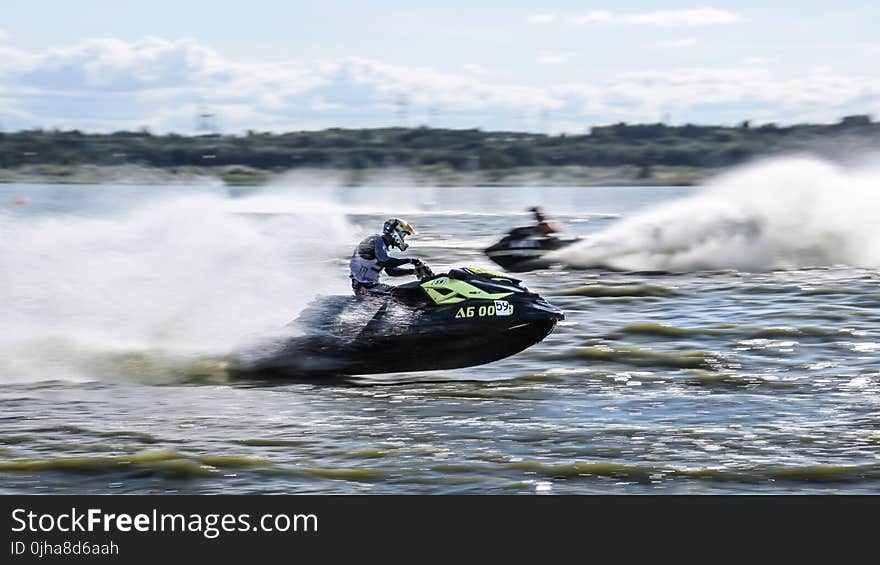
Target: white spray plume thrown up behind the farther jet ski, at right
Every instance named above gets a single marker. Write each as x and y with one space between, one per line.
780 214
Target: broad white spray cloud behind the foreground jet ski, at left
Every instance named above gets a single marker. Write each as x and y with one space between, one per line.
185 276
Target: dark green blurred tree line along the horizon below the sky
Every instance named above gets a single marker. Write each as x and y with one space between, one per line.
643 145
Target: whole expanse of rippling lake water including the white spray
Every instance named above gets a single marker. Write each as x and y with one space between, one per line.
706 375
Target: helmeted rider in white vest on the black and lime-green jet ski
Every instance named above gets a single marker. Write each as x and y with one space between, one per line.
371 256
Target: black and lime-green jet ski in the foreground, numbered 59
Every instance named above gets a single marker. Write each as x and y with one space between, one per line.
467 316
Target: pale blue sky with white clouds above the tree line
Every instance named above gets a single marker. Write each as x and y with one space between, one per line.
552 66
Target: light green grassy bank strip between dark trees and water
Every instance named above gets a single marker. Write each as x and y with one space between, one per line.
628 175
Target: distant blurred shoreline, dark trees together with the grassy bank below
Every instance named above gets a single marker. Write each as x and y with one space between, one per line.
615 155
